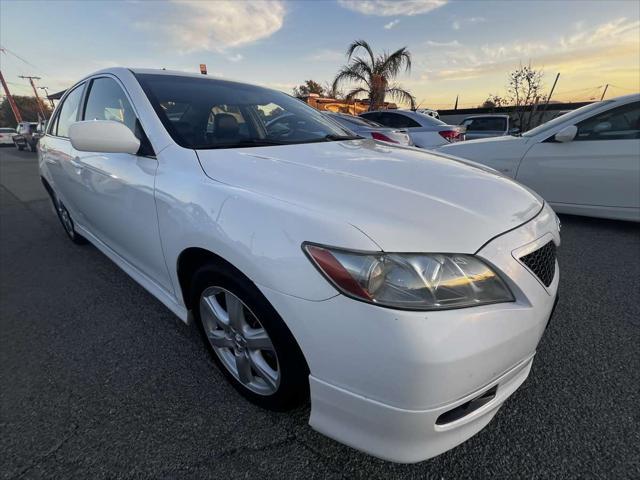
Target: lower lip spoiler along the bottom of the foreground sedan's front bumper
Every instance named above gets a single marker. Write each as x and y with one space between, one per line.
400 435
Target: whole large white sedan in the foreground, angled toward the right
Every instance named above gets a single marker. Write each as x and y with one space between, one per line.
402 292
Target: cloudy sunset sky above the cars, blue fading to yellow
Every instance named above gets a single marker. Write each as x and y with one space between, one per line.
459 48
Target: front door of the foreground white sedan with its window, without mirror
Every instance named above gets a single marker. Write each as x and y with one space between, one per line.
118 202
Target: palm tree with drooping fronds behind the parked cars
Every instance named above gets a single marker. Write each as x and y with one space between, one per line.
375 73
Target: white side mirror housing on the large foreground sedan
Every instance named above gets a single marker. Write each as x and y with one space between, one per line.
104 136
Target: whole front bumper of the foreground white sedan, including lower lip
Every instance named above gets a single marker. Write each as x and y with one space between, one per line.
381 378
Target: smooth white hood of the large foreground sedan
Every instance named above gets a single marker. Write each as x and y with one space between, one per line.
404 199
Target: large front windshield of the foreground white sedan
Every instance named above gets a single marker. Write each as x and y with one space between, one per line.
205 113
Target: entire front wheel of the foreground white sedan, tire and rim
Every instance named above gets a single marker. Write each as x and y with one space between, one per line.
217 284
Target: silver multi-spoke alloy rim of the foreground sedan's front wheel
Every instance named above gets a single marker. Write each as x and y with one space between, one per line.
240 341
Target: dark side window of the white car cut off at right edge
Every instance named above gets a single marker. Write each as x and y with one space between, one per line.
622 123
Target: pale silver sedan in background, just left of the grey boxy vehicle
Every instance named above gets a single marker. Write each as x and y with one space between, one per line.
425 131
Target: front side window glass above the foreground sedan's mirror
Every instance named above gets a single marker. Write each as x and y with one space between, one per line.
107 101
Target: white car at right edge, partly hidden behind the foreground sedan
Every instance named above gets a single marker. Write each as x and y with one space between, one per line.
586 162
